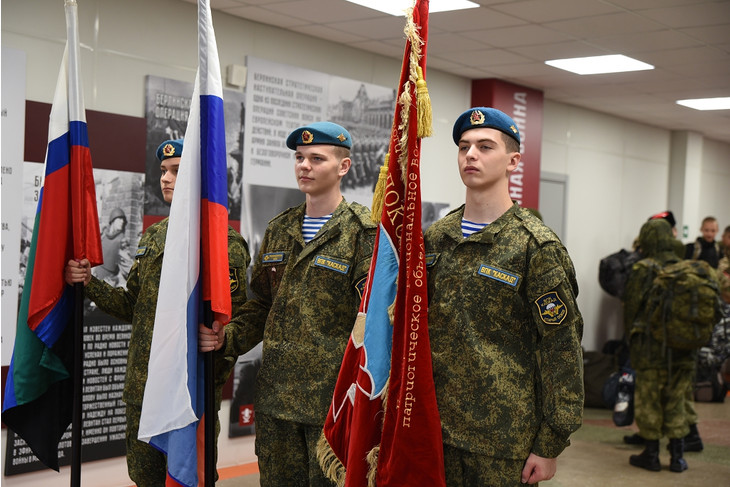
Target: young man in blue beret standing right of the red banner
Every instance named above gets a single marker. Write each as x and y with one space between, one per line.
504 325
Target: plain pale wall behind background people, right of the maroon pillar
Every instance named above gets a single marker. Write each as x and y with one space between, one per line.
618 175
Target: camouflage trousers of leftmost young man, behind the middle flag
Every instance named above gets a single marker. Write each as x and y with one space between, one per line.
146 465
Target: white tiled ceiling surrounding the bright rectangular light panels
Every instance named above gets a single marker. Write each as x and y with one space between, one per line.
688 42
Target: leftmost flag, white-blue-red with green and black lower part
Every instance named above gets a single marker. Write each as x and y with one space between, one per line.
39 391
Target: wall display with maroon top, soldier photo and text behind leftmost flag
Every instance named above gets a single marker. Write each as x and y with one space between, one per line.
119 185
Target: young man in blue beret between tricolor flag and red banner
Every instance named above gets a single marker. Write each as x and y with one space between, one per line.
307 283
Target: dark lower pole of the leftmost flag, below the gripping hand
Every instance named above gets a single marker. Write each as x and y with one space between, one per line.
78 384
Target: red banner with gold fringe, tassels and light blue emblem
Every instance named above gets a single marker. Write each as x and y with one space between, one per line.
383 425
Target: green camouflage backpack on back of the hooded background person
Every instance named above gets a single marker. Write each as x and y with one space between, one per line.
683 304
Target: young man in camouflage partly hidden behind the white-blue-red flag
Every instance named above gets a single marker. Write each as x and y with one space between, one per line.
137 304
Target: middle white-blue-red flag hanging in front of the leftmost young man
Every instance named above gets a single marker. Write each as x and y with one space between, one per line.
173 403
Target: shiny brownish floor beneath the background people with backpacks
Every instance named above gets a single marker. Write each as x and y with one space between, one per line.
598 457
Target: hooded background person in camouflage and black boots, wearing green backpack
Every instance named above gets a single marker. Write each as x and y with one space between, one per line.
663 357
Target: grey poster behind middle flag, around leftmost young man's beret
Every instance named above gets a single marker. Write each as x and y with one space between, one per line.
166 111
